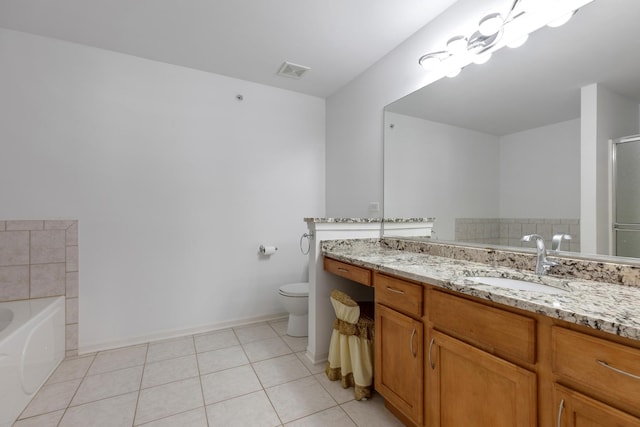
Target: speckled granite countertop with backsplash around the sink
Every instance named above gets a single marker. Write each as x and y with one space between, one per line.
609 307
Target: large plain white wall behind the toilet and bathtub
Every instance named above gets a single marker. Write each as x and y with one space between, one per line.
175 183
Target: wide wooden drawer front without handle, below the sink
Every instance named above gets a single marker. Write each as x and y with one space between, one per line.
497 331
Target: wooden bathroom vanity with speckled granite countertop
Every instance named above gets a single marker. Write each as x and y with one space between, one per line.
454 352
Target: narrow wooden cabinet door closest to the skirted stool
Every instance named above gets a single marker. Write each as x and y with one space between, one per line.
399 361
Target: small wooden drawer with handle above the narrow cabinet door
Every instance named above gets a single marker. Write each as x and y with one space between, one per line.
399 294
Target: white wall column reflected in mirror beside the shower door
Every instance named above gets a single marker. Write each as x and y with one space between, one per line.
605 115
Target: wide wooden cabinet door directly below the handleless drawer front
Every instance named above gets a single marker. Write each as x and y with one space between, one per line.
469 387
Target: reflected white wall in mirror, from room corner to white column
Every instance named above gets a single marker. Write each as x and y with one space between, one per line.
540 172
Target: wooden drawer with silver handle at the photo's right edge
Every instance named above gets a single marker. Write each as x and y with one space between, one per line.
608 368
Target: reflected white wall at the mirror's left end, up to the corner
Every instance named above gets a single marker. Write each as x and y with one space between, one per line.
451 173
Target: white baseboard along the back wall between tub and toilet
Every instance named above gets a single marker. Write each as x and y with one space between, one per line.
176 333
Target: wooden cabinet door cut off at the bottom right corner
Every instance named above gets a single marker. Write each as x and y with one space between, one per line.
574 409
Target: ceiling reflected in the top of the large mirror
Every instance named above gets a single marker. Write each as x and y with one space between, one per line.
539 83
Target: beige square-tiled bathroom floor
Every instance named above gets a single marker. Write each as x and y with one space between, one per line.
248 376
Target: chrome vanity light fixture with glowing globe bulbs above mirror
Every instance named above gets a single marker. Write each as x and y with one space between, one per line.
477 48
